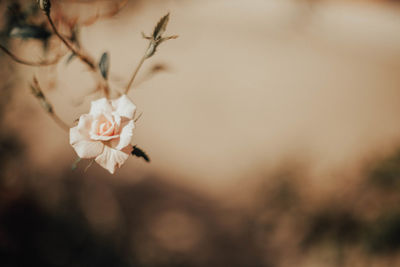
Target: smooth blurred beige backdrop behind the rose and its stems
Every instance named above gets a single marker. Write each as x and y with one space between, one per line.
250 85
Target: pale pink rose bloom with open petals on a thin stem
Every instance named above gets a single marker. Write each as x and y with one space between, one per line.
106 132
